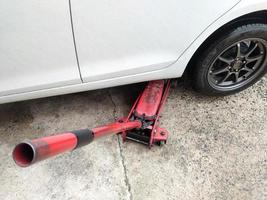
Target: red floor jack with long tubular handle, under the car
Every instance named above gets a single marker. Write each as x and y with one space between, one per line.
141 125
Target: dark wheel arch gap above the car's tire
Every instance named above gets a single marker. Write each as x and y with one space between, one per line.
253 17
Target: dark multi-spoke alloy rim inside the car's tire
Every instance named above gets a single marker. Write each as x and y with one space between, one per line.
238 64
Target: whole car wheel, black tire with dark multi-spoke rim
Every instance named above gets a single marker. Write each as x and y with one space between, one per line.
229 64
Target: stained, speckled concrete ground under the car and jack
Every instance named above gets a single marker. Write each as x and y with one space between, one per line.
217 148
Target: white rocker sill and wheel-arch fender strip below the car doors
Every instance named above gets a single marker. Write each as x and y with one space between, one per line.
174 70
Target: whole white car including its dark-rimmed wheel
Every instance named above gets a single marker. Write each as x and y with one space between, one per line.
56 47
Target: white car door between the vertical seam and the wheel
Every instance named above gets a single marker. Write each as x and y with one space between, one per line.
126 37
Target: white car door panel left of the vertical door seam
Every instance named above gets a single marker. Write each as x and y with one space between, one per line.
36 46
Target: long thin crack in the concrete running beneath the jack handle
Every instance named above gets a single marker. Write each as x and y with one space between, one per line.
126 179
